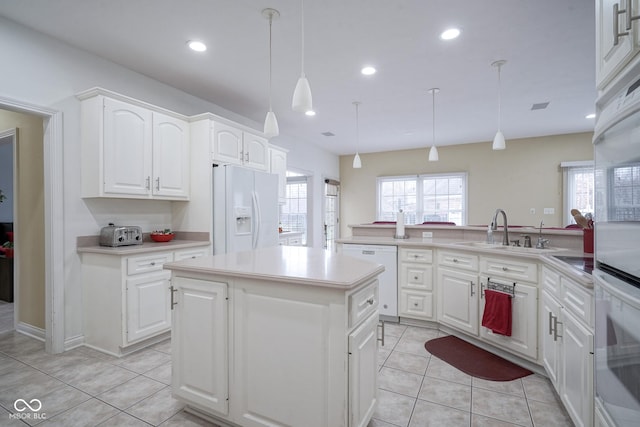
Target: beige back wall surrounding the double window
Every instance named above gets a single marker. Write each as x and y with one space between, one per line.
525 175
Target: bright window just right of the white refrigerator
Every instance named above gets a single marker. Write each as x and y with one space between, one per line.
293 213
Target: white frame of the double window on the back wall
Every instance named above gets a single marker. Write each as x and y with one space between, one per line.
419 211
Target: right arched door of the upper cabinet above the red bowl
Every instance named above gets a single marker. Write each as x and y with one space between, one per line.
170 157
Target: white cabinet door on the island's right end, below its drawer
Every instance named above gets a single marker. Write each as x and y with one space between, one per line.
363 372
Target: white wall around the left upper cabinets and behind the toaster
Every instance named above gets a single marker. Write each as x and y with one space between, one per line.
49 74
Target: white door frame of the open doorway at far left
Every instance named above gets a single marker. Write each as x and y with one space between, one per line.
53 219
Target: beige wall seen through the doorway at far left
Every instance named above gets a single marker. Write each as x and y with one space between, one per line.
29 233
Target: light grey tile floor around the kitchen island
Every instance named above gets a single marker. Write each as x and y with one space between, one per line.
83 387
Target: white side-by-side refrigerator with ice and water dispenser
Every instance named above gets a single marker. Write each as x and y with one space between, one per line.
245 209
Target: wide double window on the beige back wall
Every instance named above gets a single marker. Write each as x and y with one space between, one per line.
423 198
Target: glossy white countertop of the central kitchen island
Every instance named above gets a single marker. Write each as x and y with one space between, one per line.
289 264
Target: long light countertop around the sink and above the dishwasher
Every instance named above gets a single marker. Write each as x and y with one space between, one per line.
545 255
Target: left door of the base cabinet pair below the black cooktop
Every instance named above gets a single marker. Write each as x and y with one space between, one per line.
549 312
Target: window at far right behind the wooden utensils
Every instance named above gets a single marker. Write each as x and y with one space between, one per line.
578 188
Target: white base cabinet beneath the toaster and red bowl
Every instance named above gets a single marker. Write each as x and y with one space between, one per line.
127 299
